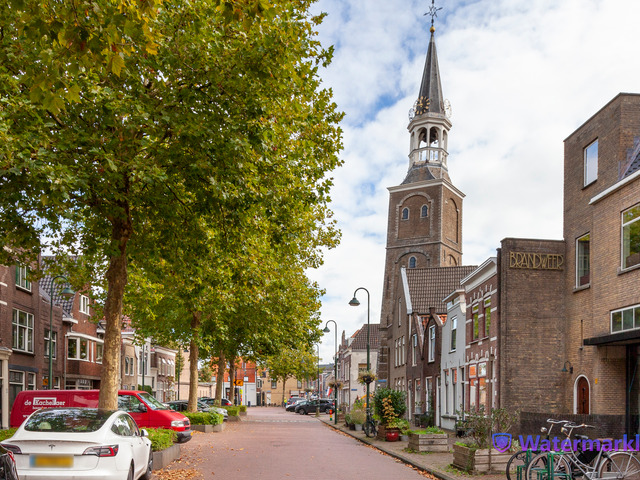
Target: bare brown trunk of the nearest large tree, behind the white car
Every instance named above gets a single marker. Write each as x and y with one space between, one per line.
116 282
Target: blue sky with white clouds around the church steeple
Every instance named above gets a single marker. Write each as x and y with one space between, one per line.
521 76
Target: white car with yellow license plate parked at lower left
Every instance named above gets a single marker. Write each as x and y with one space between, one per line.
77 443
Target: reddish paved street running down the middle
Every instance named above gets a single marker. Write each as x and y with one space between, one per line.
272 444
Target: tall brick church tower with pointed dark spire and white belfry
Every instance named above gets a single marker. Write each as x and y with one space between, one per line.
425 211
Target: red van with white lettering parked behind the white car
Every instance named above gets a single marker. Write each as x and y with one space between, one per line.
143 407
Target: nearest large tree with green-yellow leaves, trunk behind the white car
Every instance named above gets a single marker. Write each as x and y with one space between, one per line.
118 119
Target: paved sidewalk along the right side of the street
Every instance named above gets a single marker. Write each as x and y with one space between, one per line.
437 464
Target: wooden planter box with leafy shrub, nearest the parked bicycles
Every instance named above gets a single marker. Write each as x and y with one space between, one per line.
476 454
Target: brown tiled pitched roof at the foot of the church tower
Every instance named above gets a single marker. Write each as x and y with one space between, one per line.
428 286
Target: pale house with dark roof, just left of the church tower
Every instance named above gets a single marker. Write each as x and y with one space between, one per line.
352 360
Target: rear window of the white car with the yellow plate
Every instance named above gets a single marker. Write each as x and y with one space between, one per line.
67 420
